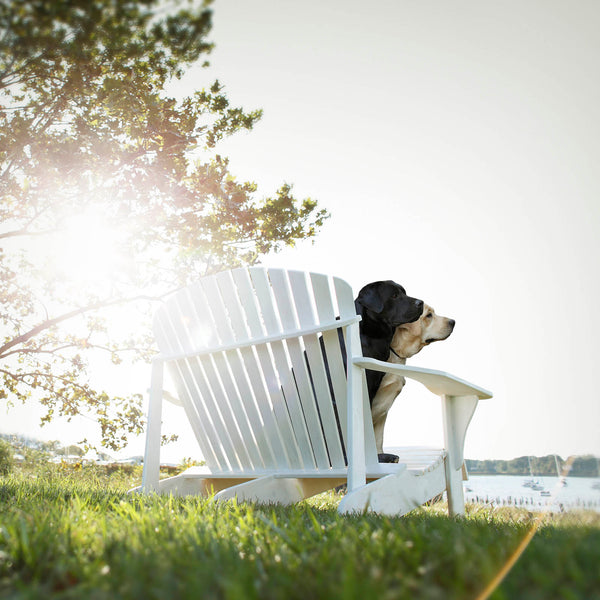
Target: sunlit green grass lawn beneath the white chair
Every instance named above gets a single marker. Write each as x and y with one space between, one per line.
68 534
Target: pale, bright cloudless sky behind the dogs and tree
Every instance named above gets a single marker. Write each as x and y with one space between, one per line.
456 147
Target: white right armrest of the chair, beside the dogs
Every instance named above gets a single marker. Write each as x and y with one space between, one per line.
438 382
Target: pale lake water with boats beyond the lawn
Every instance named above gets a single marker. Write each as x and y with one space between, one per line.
508 490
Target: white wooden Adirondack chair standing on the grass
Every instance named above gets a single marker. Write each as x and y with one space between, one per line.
275 422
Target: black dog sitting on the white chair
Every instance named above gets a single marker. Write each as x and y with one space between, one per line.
383 306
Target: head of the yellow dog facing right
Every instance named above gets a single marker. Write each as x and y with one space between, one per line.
411 338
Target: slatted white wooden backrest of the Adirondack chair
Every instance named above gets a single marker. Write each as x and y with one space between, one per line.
257 359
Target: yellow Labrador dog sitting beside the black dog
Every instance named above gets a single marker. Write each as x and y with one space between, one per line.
408 340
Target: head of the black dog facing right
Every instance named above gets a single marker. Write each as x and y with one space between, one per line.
387 302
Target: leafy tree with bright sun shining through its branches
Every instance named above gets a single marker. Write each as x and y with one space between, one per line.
112 193
